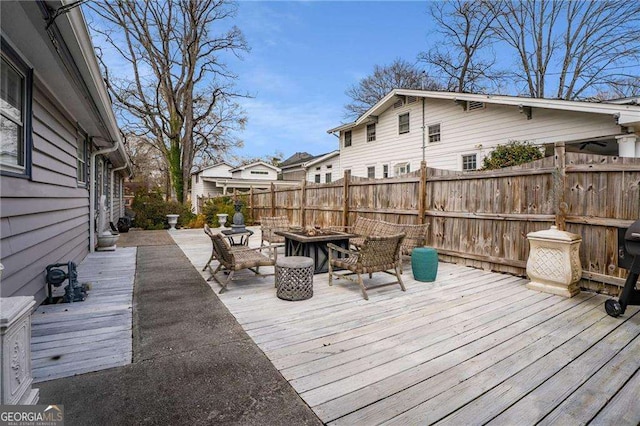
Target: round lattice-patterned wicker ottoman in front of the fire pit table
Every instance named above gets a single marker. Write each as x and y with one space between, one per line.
294 278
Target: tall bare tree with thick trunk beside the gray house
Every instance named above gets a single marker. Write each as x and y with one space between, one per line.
177 77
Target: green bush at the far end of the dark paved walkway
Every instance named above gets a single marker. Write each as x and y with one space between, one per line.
151 211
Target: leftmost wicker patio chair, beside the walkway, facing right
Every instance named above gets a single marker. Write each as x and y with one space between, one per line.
236 259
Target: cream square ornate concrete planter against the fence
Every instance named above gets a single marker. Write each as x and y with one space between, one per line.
554 262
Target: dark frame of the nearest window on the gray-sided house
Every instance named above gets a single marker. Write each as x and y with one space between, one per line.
26 71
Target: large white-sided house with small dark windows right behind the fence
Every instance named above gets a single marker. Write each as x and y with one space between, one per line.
457 130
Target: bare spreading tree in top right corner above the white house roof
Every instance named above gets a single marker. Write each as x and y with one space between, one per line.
571 49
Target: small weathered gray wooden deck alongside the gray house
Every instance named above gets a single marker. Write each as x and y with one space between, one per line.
76 338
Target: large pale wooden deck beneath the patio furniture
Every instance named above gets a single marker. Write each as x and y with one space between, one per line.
473 347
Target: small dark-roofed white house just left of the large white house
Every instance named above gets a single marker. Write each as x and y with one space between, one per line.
323 168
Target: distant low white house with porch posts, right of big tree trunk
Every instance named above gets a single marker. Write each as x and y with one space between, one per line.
222 178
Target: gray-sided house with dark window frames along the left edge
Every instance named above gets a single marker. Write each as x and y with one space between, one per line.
61 149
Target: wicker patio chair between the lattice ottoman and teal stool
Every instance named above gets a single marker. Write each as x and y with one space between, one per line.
377 254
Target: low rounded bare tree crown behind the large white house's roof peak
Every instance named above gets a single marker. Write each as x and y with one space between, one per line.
399 75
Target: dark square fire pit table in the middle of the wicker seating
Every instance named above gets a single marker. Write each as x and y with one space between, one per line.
300 243
